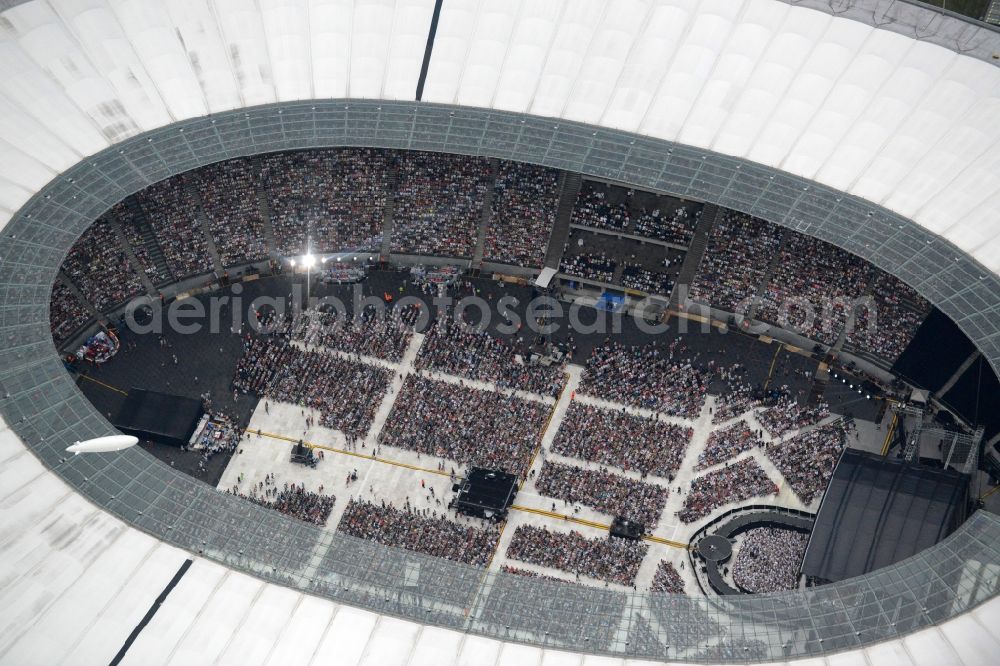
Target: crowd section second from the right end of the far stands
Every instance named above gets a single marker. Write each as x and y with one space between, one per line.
813 275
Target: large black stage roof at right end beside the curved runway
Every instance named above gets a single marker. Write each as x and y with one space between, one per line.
878 511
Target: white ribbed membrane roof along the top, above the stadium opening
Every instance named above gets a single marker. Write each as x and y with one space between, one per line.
906 124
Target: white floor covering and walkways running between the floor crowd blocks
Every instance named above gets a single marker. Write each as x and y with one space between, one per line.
399 476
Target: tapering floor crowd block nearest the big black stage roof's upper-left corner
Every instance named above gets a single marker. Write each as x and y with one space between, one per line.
806 461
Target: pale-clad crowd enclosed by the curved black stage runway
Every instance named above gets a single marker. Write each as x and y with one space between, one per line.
768 560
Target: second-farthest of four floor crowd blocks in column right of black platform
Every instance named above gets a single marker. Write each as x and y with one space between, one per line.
633 443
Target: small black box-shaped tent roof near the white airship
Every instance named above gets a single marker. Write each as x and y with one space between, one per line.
161 417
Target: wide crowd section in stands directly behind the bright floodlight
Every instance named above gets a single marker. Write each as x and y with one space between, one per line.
333 198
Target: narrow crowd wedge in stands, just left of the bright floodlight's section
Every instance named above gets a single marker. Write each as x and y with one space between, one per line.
228 192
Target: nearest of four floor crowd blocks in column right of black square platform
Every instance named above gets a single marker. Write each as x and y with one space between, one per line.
608 559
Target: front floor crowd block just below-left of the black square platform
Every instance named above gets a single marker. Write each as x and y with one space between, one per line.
420 530
